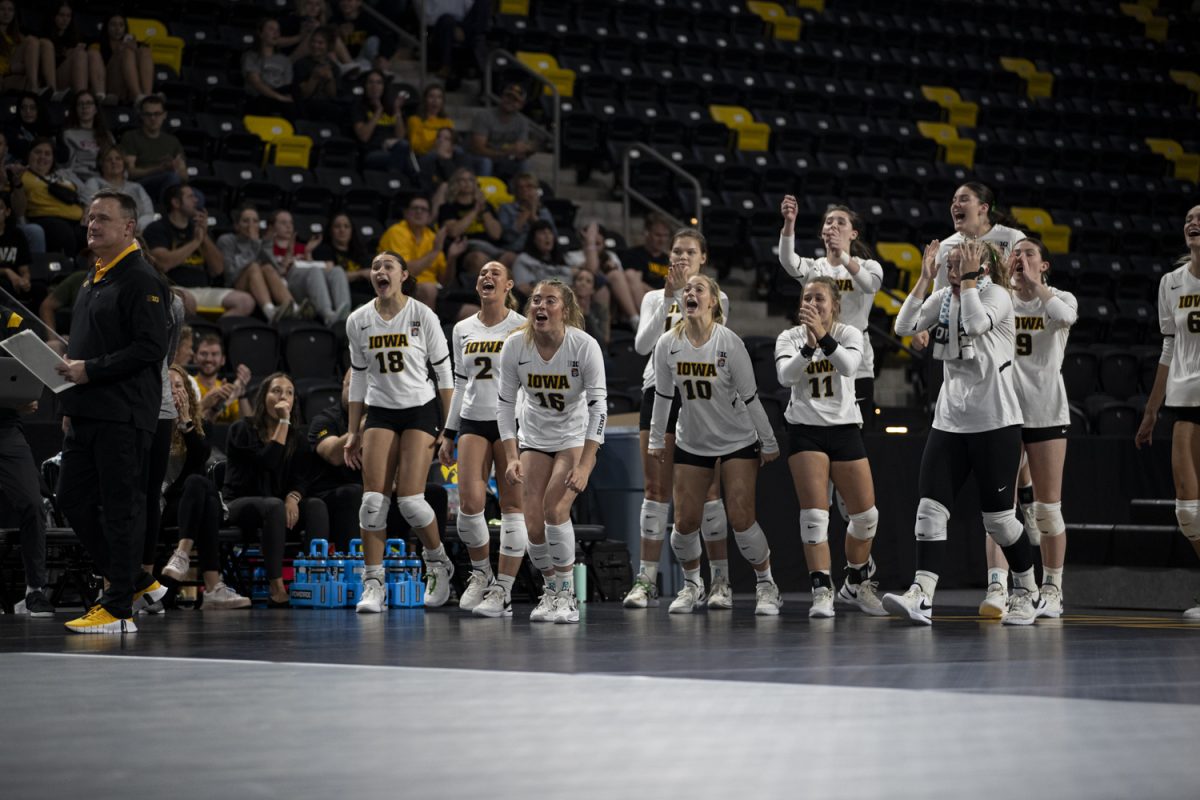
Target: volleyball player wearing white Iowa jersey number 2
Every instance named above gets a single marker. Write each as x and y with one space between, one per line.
476 346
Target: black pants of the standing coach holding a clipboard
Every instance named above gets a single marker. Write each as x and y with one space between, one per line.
103 494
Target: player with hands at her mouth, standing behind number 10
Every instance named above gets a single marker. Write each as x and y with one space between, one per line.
662 310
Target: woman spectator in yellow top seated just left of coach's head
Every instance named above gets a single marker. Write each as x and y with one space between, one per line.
53 201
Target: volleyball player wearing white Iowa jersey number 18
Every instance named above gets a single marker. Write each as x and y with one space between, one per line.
394 340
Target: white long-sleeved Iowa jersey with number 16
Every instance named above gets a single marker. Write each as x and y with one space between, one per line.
567 401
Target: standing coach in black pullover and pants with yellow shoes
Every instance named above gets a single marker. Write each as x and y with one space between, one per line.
115 358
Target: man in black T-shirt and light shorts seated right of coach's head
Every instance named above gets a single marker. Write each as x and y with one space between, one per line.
183 250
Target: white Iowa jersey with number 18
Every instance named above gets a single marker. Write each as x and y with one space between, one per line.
394 354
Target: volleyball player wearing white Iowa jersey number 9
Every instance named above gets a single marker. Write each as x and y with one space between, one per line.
1043 317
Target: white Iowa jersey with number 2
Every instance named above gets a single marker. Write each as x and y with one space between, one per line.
477 360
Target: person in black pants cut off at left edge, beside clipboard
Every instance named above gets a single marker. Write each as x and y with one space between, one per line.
21 489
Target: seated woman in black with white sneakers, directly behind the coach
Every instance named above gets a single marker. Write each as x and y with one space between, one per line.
191 501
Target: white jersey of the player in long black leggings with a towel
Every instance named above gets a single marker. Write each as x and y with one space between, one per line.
979 393
